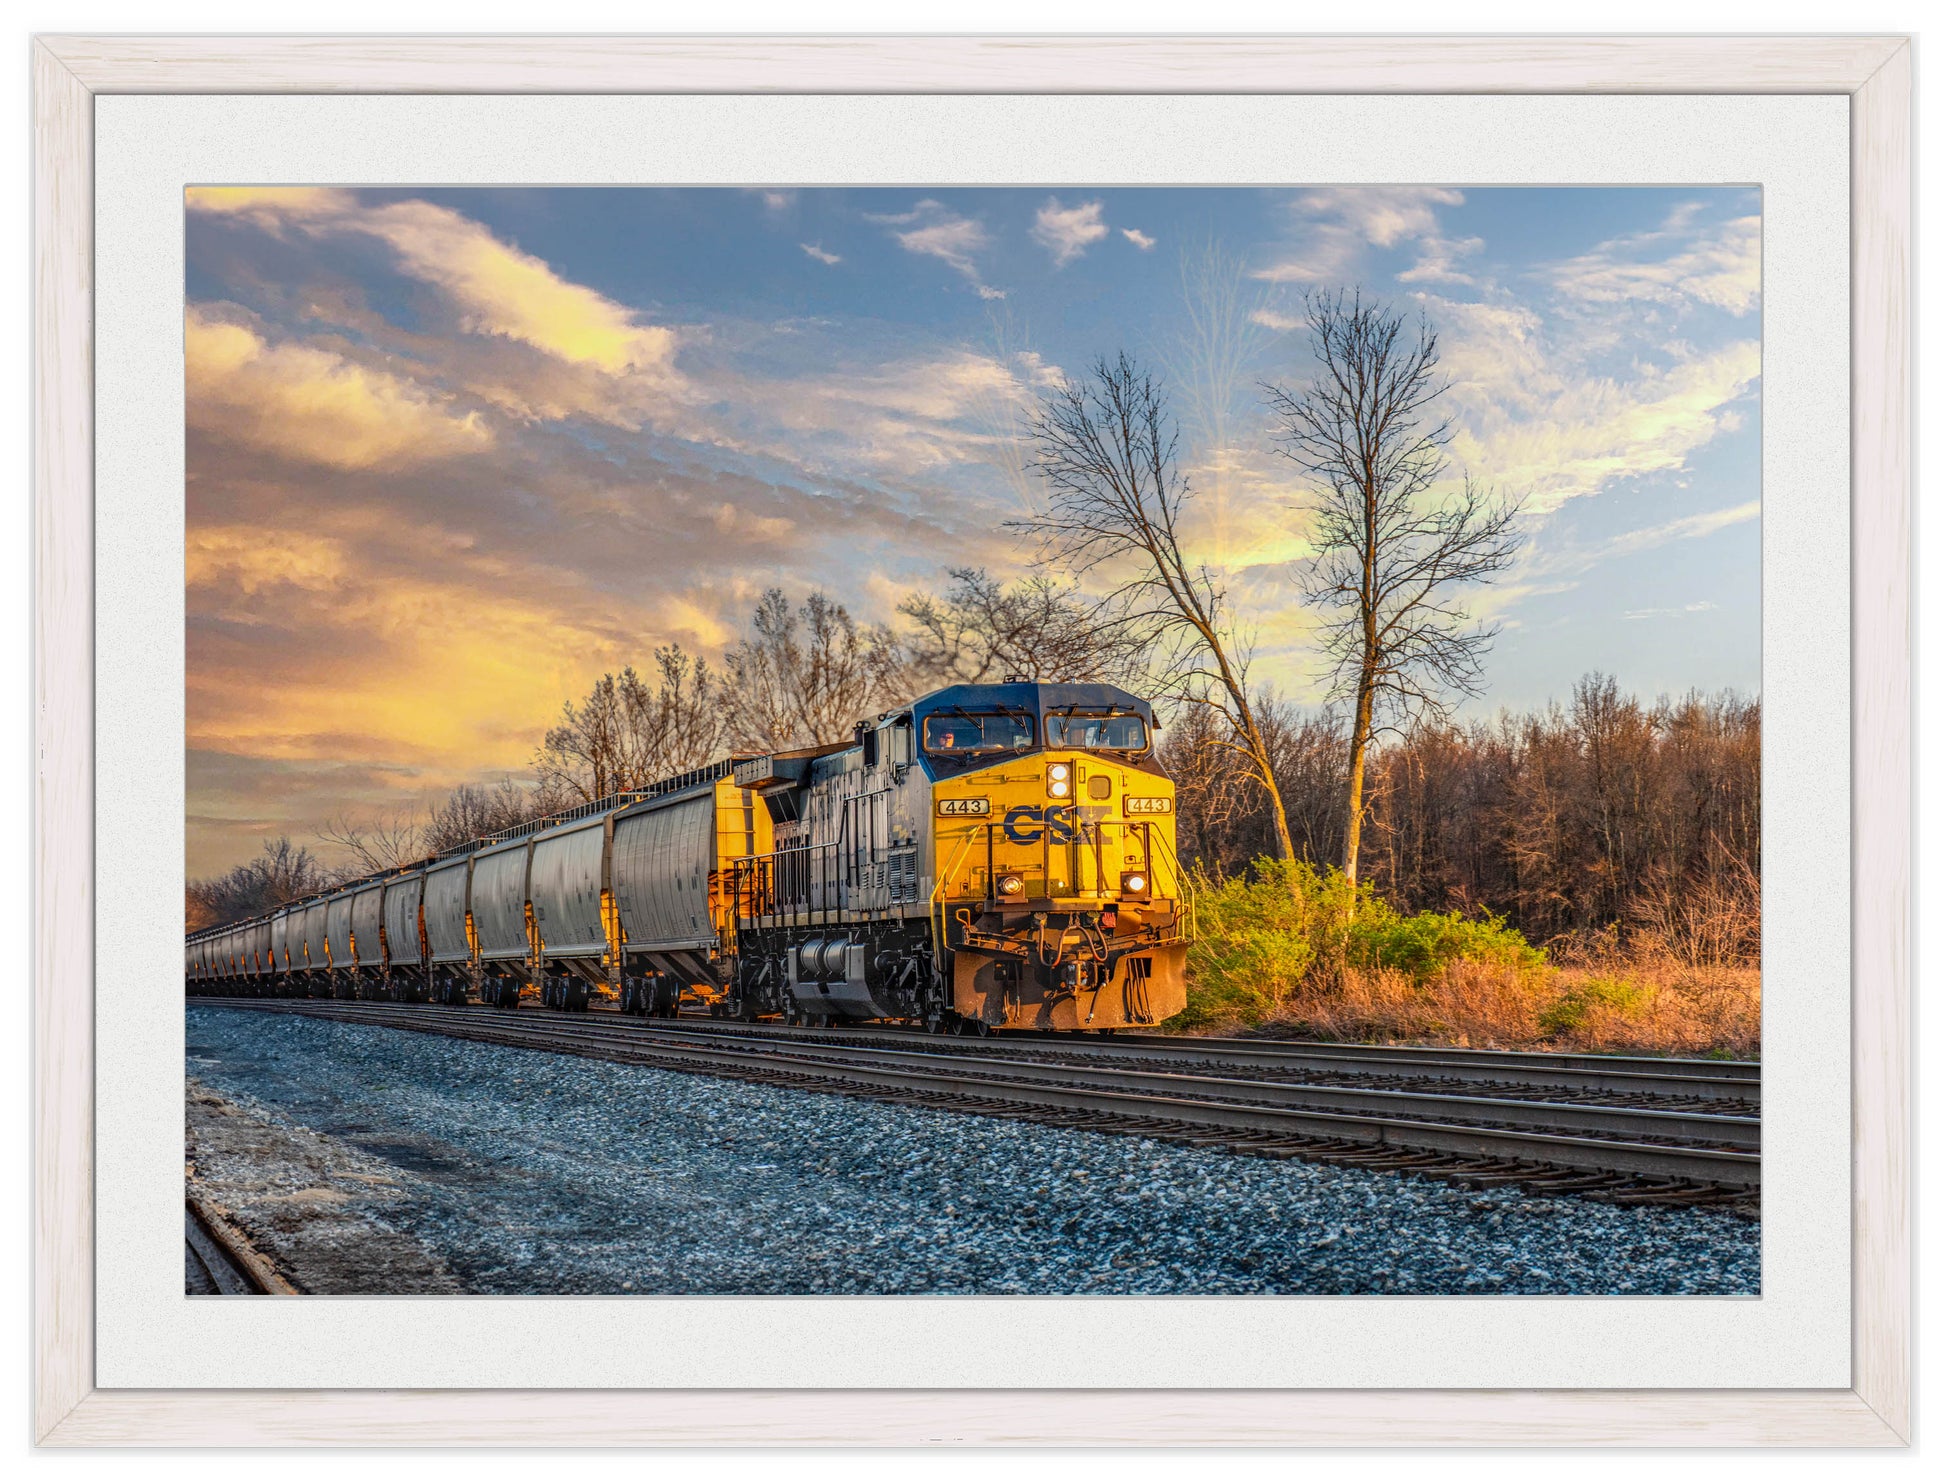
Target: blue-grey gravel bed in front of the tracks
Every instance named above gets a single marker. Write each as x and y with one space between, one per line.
536 1173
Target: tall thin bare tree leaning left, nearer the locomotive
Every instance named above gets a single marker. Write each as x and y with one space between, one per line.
1104 449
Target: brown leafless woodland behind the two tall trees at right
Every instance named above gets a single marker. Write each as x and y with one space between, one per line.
1604 816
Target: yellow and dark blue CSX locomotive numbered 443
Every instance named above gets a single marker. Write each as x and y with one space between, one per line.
991 855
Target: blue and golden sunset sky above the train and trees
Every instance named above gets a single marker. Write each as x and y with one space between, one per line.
454 454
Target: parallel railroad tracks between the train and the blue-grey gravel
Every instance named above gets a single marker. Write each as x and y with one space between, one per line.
1496 1120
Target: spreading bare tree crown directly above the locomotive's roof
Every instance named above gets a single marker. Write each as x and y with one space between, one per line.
1038 630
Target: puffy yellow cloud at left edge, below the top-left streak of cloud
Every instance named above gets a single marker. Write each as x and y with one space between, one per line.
314 406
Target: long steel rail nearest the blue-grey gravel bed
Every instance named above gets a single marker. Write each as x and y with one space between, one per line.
1385 1128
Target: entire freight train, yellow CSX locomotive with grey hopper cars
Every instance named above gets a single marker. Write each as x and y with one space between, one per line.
988 857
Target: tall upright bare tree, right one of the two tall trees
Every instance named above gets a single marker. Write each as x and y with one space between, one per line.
1390 556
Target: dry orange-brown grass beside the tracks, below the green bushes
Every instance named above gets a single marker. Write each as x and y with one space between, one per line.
1645 1003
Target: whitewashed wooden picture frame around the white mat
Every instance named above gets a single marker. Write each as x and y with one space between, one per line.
67 75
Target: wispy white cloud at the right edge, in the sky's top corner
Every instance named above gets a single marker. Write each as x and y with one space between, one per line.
1717 266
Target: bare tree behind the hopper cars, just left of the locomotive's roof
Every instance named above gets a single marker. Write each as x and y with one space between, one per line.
807 674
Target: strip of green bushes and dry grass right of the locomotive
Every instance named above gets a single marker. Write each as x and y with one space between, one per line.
1297 949
